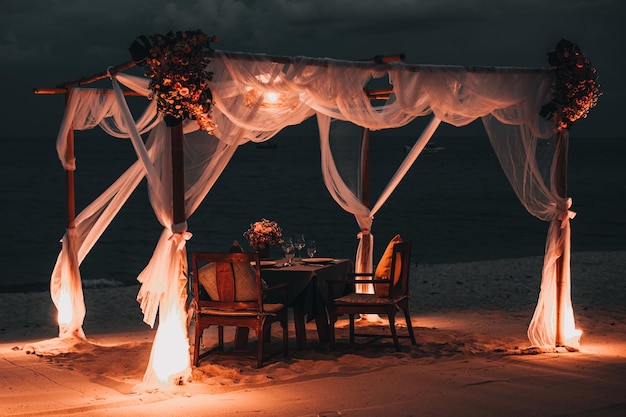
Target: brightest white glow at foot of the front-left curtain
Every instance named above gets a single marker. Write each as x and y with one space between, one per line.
170 359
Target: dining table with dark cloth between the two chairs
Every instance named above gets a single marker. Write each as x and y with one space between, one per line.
307 291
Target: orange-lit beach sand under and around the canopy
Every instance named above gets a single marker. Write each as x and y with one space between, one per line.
472 356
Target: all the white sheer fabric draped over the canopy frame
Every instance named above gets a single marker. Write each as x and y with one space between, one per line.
254 98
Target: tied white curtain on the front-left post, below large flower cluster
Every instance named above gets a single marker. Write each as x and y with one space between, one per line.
164 279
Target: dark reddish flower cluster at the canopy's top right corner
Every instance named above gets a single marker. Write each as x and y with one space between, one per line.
576 88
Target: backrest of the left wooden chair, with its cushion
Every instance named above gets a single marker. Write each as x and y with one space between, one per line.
234 279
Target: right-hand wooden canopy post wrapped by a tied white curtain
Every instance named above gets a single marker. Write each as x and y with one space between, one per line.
560 182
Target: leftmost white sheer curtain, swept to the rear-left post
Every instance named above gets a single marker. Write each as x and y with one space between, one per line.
86 109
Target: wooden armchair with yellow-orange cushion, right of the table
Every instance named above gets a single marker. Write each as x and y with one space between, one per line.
355 303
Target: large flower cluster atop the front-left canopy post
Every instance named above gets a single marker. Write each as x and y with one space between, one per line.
177 67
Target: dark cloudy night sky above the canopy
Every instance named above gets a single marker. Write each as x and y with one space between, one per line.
44 42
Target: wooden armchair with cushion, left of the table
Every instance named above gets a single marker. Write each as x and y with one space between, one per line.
234 297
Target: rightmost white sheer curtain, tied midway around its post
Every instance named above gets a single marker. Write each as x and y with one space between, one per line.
528 163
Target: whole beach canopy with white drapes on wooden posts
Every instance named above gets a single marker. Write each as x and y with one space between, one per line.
252 98
